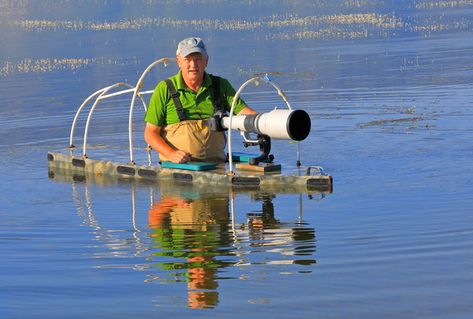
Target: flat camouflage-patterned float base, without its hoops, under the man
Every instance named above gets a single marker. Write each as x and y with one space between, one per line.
303 179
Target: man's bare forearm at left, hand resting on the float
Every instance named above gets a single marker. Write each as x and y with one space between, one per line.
153 137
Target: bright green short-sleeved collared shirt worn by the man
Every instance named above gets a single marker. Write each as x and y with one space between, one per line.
197 105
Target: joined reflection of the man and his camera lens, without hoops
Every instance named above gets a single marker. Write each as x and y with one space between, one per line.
193 243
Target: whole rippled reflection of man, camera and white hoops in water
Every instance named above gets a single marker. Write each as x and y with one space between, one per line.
195 239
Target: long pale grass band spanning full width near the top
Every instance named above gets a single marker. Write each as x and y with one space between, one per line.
336 26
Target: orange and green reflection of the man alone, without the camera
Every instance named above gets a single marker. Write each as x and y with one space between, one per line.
193 230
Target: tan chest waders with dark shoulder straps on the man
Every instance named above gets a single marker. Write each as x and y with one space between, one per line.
196 136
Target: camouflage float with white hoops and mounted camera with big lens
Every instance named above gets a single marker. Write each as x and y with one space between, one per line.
251 172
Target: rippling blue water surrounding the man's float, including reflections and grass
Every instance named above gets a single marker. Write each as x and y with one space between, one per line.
389 88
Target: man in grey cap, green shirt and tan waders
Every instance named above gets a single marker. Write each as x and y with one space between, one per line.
176 120
